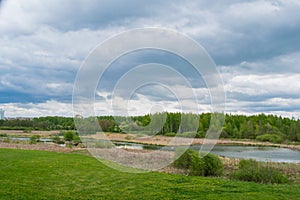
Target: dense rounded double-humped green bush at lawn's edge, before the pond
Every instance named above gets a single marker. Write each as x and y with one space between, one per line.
209 165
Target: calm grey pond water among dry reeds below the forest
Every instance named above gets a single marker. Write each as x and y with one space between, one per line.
273 154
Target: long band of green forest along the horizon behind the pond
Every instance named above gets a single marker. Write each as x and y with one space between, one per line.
259 127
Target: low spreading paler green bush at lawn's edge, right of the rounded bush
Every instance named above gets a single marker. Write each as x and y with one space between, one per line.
251 170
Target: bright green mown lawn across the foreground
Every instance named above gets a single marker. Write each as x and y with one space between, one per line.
48 175
